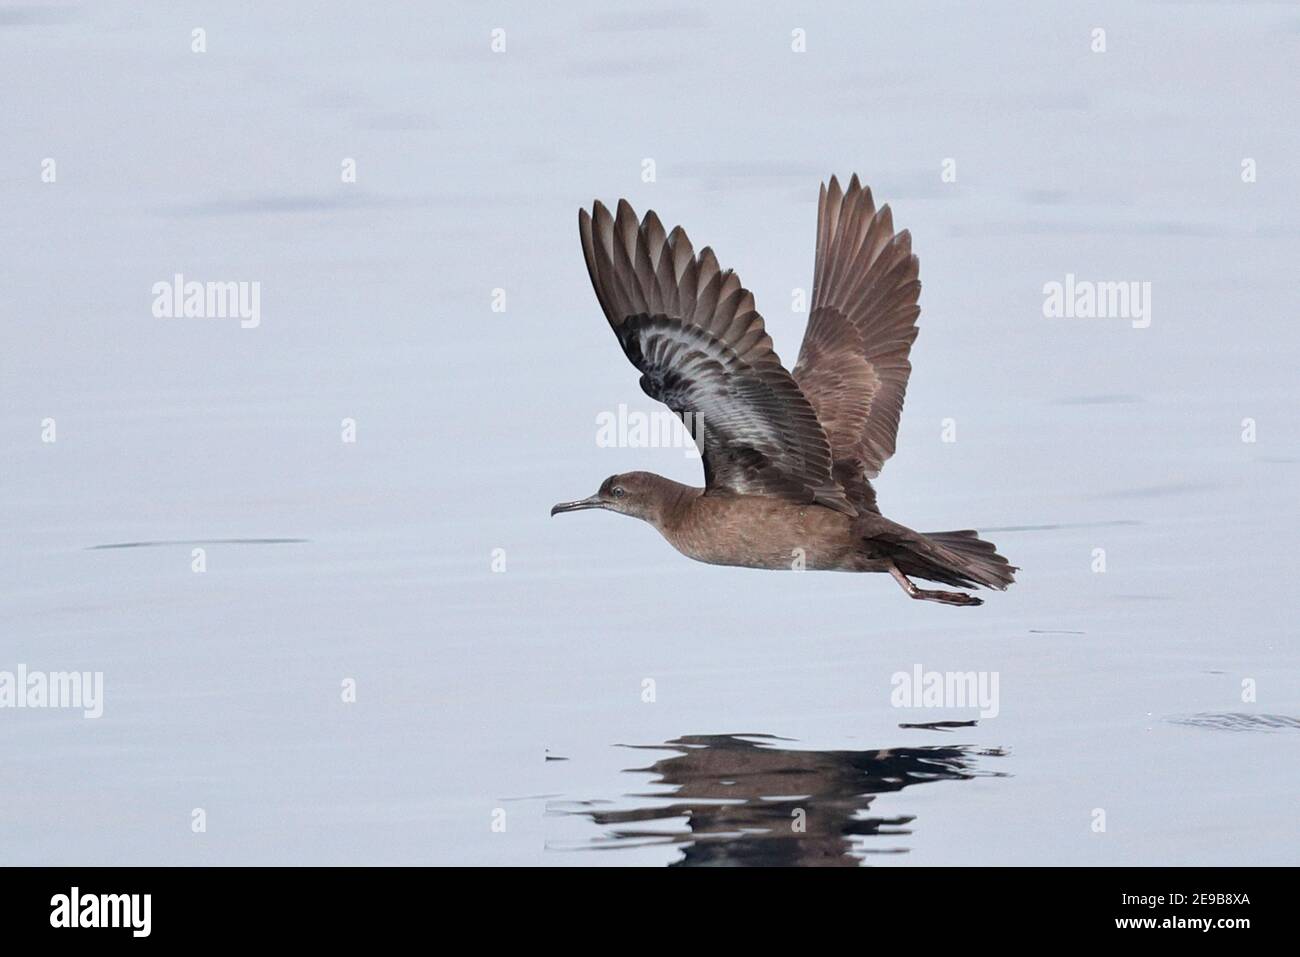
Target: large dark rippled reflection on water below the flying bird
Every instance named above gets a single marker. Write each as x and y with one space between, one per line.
743 796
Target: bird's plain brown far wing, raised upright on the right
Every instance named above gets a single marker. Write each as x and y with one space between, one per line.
853 366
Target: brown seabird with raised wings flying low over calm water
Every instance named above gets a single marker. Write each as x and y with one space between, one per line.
788 454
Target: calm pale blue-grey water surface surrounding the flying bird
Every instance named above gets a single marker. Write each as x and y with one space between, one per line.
506 717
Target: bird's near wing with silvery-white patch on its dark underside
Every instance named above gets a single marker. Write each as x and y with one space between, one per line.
692 331
